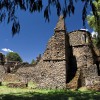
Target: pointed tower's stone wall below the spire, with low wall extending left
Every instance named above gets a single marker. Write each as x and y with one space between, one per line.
50 71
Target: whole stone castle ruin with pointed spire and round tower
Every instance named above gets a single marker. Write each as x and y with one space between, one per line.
69 61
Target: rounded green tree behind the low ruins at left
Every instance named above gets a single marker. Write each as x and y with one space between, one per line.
12 56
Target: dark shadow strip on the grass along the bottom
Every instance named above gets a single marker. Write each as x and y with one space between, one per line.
57 95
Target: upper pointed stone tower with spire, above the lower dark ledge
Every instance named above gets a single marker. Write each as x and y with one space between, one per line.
56 46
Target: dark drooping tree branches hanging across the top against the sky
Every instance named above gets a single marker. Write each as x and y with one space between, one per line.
66 7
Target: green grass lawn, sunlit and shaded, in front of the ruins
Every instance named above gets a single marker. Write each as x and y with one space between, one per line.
34 94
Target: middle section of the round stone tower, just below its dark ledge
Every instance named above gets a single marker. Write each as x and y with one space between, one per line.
83 55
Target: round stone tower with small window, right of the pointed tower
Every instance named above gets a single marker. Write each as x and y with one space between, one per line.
83 57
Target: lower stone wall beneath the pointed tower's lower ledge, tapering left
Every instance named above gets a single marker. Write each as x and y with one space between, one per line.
46 74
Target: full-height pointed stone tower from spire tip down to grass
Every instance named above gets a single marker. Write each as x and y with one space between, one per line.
53 64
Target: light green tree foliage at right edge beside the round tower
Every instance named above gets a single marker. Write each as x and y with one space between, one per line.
95 24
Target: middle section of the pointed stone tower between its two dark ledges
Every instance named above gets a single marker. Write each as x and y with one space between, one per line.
56 47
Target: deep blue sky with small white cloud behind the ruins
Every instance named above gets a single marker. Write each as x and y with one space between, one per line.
35 32
